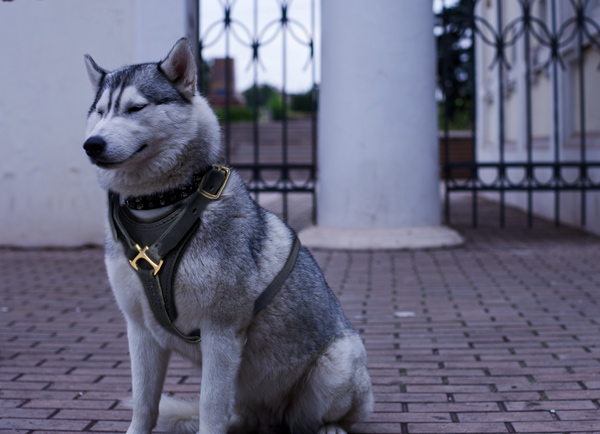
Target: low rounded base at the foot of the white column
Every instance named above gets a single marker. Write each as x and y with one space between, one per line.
319 237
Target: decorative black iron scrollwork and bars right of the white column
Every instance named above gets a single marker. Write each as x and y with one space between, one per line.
577 30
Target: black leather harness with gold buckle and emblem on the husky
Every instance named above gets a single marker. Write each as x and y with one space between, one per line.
161 244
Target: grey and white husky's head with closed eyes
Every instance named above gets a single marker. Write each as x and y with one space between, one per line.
148 129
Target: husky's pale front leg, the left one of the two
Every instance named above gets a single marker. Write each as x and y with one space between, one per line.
149 364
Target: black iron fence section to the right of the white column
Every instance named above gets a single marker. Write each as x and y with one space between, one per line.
518 70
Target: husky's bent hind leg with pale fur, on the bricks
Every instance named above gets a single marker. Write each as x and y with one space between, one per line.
336 392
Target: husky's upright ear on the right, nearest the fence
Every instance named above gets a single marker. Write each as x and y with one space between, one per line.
180 68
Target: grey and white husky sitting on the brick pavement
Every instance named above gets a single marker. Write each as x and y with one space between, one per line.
297 365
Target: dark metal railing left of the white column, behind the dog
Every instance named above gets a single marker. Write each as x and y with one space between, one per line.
285 176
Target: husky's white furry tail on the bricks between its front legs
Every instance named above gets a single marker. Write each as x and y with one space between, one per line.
176 416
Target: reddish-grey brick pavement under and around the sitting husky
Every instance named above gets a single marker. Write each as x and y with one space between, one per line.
498 336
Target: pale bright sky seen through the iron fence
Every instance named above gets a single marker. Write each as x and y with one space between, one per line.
299 68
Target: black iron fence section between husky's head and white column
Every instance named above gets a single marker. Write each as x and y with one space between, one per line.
266 169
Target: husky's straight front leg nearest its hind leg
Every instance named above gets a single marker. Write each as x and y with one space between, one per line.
221 357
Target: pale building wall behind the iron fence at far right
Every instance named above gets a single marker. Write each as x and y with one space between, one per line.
544 111
